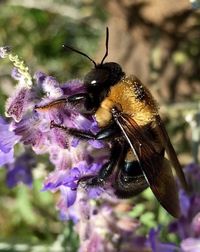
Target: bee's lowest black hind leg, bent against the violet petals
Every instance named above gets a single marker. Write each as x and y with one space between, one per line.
106 169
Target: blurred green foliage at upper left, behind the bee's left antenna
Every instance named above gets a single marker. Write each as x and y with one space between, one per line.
38 35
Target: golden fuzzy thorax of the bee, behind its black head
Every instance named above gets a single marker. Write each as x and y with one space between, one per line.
130 97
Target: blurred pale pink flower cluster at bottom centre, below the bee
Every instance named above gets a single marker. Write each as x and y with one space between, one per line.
105 226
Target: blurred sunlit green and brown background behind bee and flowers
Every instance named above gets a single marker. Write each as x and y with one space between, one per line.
158 41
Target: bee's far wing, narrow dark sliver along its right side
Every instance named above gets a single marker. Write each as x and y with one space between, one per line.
171 152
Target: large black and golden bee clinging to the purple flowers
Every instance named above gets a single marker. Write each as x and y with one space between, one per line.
128 118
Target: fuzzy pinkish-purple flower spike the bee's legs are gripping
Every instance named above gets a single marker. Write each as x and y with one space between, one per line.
36 128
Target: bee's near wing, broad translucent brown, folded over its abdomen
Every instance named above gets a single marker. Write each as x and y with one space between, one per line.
155 168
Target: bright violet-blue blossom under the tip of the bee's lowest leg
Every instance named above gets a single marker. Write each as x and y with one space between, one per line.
66 180
